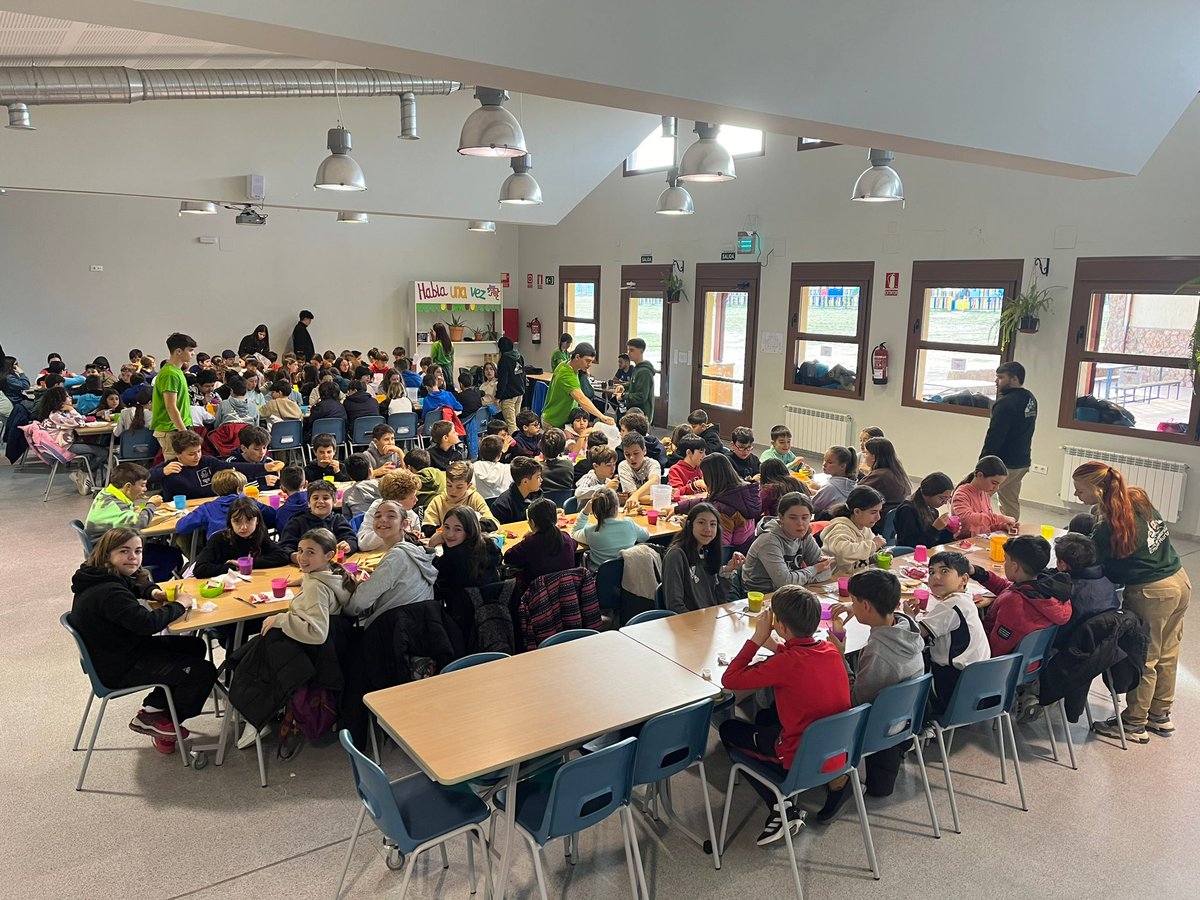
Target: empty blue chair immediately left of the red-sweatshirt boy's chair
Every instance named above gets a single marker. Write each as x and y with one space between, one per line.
667 746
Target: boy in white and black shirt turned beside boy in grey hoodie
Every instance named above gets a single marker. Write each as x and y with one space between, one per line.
952 622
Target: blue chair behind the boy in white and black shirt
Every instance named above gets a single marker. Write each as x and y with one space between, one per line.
985 692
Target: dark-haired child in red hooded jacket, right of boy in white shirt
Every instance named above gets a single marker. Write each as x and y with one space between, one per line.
1029 599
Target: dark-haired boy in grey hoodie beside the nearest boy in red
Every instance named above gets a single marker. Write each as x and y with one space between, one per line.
893 655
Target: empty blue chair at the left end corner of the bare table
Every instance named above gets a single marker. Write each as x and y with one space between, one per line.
415 814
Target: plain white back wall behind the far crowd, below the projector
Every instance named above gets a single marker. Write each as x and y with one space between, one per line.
159 279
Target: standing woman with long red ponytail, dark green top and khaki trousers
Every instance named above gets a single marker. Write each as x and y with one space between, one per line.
1135 549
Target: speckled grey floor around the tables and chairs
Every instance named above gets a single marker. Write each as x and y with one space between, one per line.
1124 825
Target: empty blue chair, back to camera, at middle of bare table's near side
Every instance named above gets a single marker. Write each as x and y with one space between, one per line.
567 800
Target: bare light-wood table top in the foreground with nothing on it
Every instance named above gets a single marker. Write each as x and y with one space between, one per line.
465 724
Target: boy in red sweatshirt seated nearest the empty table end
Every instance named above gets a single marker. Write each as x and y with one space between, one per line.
809 681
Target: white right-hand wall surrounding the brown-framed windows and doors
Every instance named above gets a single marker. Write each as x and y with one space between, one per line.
955 212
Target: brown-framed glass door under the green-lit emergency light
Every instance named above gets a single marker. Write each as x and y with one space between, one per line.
727 327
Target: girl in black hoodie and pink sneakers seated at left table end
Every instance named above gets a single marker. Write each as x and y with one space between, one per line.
112 615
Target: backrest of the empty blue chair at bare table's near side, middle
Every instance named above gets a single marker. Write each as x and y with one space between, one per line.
589 790
